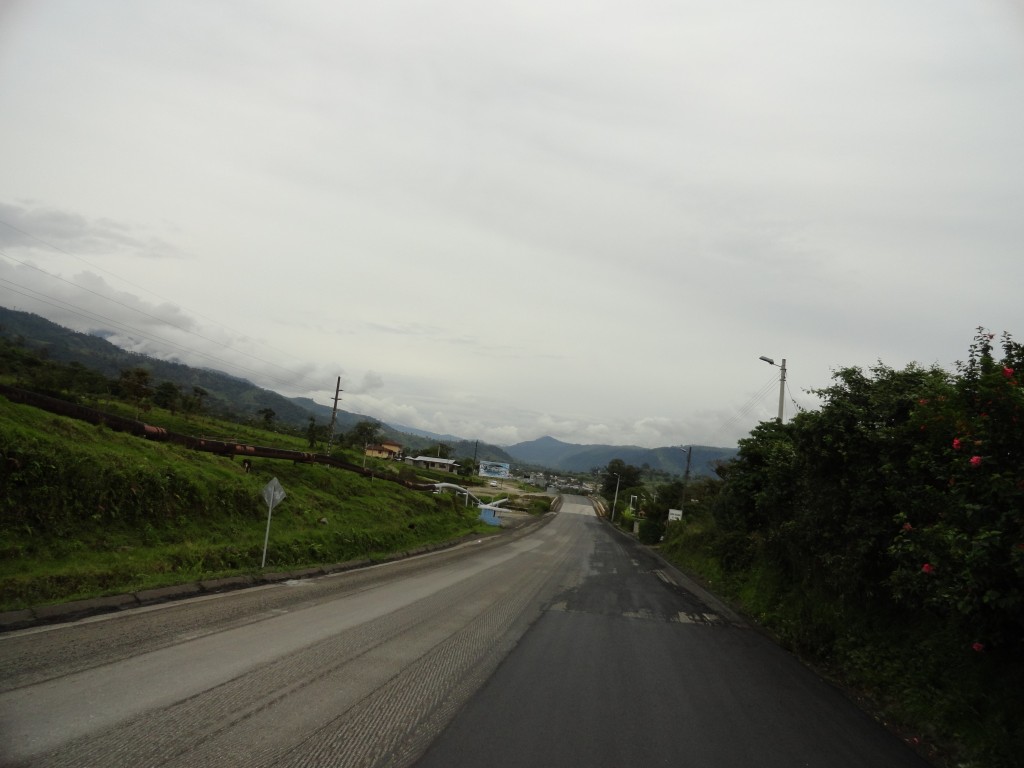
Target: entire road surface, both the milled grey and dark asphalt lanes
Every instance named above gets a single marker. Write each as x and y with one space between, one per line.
567 645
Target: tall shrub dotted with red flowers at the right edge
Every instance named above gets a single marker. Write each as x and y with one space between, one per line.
972 525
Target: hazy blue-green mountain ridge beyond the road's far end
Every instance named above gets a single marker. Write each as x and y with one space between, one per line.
568 457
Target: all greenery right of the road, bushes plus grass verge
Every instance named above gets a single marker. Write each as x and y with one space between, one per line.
882 539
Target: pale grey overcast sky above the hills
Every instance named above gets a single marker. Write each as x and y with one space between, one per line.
516 219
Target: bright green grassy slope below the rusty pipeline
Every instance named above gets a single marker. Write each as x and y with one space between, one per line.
87 511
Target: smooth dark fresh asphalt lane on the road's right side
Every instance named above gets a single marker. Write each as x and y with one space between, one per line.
628 668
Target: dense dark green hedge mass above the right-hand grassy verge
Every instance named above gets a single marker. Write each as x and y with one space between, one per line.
907 488
